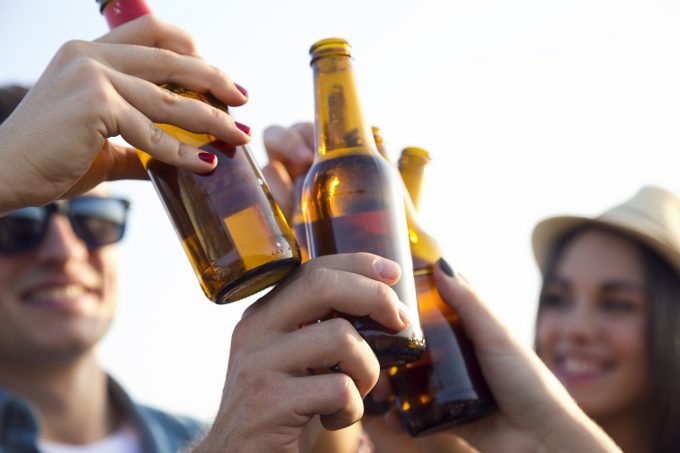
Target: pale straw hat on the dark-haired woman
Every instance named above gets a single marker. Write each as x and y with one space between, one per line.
652 217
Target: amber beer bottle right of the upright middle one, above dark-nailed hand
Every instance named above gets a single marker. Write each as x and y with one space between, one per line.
445 387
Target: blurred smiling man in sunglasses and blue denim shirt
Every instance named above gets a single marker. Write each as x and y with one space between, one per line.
57 300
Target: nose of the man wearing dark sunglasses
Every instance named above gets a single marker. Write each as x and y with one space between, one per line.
61 243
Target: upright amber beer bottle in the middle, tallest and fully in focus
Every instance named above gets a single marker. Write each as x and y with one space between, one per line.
352 200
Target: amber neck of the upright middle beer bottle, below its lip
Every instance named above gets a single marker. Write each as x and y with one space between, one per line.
339 121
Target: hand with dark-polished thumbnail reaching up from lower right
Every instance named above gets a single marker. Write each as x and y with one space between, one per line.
535 411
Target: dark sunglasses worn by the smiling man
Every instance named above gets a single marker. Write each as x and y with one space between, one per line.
97 221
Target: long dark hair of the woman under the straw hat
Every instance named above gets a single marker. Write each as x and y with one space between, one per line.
662 335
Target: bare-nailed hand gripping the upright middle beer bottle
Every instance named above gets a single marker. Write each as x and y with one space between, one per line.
281 376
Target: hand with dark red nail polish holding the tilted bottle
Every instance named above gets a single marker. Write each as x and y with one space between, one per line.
57 137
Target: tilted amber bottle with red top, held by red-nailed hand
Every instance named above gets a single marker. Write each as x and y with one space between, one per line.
233 232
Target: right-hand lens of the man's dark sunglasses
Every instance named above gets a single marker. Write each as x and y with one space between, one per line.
98 221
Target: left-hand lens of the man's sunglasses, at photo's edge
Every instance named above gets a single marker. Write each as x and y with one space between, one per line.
22 229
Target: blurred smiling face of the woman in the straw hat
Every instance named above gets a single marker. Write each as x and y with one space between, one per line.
591 324
